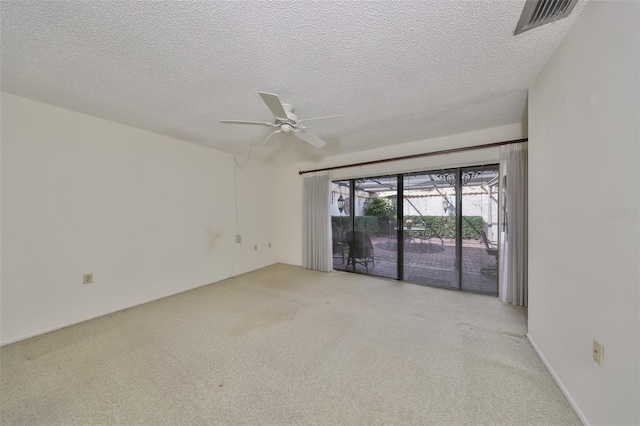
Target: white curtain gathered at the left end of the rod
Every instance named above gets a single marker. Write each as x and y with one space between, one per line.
316 223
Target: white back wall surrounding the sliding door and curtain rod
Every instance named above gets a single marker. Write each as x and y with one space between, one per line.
290 183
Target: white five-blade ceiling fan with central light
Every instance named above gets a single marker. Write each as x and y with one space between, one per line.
286 122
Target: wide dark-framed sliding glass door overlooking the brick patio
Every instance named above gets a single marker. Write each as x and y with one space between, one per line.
436 228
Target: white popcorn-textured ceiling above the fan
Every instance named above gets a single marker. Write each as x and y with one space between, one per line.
397 71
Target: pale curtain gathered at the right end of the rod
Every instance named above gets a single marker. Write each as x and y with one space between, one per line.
513 271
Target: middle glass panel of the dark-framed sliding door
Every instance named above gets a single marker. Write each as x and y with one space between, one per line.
429 229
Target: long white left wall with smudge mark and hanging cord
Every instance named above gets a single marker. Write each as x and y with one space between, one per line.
148 215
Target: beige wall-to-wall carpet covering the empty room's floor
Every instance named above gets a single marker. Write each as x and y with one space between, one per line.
283 345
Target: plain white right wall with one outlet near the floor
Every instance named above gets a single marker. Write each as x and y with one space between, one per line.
583 263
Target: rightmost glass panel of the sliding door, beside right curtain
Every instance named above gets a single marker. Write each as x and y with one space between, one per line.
480 229
